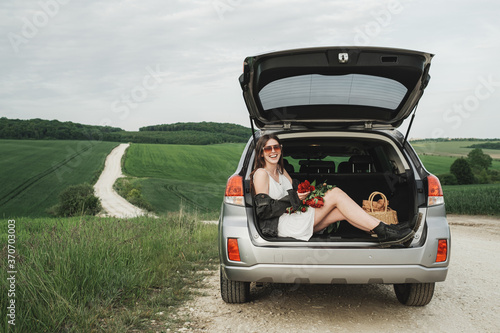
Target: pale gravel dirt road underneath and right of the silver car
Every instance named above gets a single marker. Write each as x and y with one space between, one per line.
468 301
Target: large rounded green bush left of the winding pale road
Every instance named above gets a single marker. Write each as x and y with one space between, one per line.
77 200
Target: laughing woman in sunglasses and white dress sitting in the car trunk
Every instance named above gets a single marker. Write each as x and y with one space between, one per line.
274 193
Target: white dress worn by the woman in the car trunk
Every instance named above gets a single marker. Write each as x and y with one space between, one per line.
298 225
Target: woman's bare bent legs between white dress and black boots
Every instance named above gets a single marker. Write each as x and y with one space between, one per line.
339 206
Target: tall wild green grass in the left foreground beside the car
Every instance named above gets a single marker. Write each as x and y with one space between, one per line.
90 274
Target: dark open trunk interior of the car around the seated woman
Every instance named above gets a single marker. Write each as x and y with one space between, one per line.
359 164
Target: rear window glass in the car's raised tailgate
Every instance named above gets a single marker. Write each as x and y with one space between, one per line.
315 89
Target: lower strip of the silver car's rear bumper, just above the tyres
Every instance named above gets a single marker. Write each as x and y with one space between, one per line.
335 274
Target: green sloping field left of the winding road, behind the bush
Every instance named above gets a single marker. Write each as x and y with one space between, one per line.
34 172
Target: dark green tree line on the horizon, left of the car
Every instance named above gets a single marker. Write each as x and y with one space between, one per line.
202 133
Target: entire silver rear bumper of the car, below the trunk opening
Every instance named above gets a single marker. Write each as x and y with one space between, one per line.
330 262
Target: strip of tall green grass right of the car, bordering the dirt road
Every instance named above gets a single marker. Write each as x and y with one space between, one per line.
472 199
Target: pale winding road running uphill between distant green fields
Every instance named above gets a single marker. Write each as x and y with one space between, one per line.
112 203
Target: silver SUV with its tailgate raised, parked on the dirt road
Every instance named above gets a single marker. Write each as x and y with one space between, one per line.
336 111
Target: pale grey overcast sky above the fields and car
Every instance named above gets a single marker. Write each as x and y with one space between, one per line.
133 63
